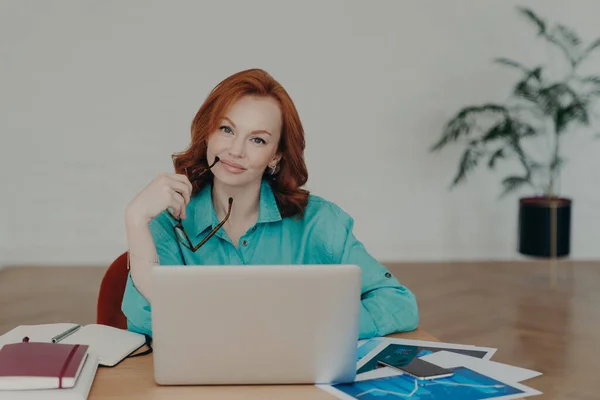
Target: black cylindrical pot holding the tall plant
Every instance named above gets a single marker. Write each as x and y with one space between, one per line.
535 226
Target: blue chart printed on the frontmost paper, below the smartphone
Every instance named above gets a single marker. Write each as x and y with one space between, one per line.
465 384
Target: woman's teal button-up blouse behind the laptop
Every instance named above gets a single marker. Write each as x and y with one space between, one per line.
322 236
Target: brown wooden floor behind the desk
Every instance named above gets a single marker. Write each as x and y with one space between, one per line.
510 306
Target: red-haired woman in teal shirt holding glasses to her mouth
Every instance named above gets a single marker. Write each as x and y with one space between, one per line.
236 198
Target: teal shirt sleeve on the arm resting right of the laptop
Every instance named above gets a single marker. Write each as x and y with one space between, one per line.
386 305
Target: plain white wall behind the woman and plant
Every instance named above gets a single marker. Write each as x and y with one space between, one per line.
96 96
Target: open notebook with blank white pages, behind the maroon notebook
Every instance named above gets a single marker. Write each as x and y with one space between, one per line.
110 345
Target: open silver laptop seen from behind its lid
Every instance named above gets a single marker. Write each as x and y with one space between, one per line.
260 324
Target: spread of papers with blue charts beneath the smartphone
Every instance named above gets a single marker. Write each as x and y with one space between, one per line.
475 375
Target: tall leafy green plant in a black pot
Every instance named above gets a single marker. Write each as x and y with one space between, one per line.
542 108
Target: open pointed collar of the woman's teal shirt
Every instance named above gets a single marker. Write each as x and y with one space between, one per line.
205 216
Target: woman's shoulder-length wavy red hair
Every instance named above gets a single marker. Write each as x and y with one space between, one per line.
292 174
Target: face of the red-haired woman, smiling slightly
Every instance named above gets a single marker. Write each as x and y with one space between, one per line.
246 141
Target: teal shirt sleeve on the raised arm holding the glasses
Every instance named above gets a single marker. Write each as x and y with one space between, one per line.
135 306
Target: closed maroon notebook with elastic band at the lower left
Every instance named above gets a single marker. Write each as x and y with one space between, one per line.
37 365
